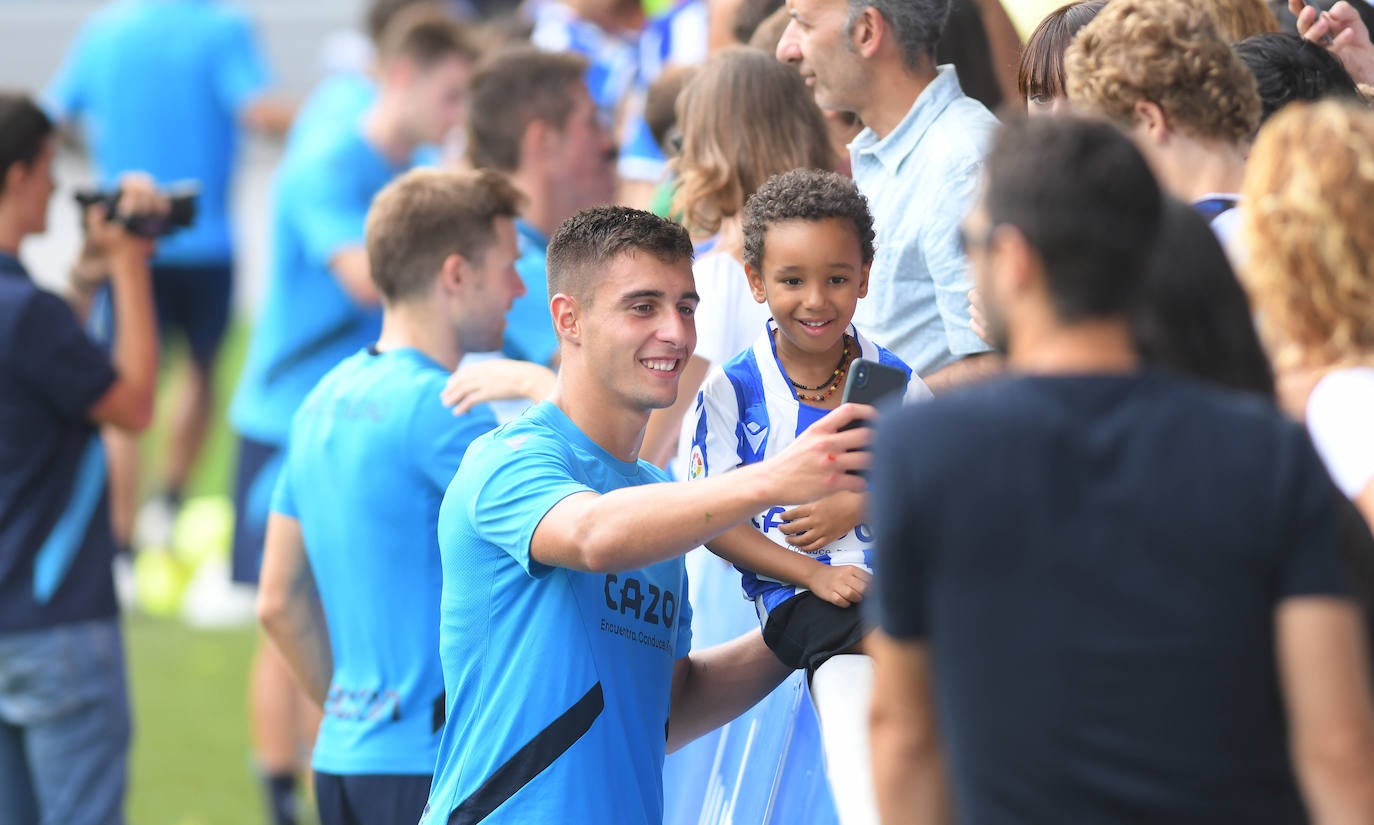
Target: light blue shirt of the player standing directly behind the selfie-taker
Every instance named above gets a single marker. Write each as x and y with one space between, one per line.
373 450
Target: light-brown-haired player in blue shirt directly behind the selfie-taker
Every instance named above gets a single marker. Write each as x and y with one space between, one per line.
351 575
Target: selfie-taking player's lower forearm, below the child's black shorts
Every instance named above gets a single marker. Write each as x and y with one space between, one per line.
715 685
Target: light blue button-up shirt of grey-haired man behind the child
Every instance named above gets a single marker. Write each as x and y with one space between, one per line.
921 181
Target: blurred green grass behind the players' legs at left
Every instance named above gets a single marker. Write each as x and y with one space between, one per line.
192 761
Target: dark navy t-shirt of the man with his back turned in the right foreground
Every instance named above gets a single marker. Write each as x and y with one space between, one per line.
1096 563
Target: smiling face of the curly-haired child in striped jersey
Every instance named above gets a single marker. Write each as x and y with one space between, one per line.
813 277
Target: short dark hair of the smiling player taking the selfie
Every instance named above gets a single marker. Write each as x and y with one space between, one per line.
587 241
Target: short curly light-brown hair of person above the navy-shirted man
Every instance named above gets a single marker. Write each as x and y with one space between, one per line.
1170 53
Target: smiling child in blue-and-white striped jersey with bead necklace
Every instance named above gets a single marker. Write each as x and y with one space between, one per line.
809 245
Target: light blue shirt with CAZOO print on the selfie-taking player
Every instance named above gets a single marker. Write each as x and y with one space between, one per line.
559 681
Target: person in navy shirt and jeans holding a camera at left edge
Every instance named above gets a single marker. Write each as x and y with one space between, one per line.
64 703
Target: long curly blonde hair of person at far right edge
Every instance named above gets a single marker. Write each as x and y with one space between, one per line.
1307 196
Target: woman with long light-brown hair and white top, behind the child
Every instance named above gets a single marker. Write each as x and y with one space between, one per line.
744 119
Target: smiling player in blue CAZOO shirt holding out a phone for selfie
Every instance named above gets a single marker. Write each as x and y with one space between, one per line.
565 618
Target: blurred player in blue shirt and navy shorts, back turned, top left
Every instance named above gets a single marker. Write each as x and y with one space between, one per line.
175 115
